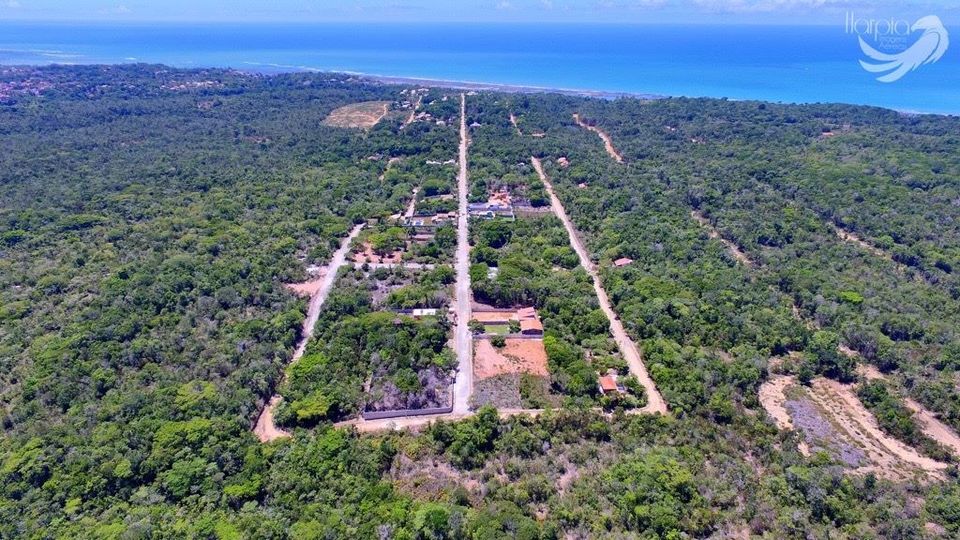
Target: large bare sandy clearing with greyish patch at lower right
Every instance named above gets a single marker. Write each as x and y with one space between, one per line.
831 418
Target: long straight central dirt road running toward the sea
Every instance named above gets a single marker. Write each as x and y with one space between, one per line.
463 386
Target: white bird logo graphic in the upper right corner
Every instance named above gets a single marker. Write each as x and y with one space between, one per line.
927 49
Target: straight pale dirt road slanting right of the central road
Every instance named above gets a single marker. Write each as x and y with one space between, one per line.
629 350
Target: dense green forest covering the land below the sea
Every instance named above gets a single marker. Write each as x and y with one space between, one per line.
149 218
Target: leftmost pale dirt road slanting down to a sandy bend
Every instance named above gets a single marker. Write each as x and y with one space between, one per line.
265 430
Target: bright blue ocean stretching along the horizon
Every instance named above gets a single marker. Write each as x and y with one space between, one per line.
795 64
